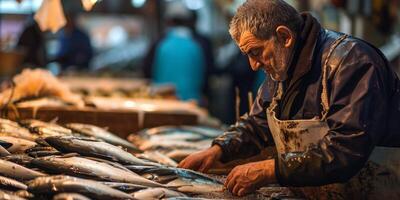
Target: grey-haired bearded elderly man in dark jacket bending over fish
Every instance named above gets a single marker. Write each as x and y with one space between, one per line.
333 101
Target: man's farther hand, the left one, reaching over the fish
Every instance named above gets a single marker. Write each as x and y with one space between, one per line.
203 160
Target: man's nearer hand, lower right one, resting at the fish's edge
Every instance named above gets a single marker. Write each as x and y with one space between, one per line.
247 178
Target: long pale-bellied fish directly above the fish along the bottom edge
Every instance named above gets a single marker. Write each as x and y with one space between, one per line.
78 166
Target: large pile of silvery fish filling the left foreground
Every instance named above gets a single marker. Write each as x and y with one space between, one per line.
40 160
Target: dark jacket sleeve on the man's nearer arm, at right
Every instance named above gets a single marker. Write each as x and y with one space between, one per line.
357 117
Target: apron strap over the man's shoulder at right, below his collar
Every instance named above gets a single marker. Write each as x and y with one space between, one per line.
324 95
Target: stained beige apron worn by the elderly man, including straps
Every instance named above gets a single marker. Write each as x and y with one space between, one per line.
378 179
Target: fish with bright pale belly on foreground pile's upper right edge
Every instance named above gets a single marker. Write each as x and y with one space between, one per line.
100 133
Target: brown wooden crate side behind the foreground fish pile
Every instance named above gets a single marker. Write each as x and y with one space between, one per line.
120 122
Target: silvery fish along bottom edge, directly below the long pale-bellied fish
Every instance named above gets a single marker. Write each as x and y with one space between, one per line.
62 183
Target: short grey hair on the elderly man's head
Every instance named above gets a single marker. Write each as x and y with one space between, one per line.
262 17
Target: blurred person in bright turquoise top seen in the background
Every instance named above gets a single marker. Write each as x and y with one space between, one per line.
177 58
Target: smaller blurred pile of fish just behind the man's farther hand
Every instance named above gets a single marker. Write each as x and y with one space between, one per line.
170 144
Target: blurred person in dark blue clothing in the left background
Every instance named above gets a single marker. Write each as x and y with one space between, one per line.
75 47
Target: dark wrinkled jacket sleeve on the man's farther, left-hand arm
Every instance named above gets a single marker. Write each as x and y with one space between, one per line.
250 134
